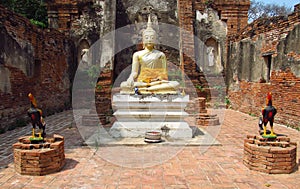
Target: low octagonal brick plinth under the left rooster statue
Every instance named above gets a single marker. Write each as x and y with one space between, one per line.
39 159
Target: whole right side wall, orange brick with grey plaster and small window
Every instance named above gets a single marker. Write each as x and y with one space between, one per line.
265 57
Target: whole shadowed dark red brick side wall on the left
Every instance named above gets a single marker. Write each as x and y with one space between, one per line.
32 60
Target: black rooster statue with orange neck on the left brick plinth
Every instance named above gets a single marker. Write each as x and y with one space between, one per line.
35 115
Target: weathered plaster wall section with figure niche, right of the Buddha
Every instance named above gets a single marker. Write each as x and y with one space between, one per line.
212 32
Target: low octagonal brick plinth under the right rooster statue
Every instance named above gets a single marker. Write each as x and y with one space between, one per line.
273 156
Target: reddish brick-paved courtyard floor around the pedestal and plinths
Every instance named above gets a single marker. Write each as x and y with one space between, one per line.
190 167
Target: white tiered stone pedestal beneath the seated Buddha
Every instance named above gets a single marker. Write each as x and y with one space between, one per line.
137 114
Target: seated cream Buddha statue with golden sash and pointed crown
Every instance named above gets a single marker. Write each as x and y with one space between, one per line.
149 74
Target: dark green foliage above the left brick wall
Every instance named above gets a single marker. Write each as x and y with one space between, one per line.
35 10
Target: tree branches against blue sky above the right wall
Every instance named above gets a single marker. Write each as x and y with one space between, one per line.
261 10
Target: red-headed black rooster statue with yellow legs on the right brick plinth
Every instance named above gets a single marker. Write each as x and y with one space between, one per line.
268 114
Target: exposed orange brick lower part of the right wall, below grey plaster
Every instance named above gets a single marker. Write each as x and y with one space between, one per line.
285 88
